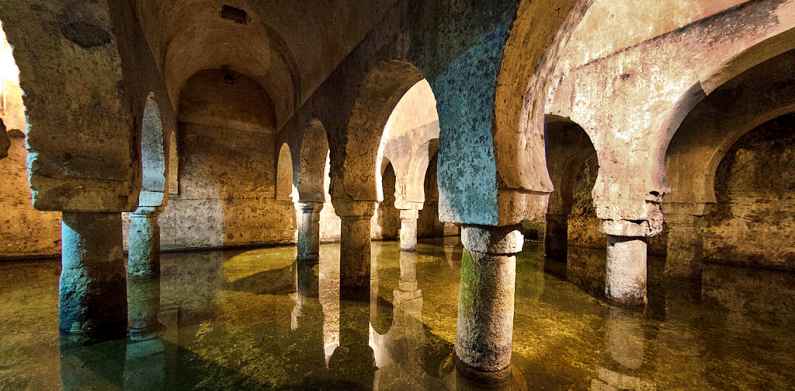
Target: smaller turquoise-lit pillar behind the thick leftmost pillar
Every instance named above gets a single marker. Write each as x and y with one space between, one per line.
144 243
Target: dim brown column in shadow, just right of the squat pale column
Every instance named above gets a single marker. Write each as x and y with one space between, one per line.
685 241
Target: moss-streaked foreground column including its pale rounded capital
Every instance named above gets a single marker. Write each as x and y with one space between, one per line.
486 302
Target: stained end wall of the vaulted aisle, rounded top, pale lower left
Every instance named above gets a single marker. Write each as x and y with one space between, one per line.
227 168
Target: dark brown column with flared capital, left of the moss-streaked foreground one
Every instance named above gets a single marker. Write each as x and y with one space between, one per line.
355 247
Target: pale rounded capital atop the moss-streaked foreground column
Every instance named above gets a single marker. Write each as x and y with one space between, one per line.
506 240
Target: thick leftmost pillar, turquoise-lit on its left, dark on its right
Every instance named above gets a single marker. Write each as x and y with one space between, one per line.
93 284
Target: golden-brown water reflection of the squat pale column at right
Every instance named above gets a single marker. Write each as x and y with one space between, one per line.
625 348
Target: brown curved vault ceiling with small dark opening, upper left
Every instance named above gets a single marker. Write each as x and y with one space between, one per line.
289 47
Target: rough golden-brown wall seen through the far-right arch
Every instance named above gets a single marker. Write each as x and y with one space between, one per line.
753 222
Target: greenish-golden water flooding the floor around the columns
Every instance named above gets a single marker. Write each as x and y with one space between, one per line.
253 320
